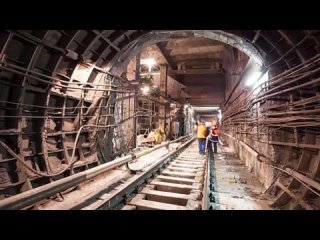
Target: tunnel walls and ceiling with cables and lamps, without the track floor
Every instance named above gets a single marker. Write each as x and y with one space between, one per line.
72 100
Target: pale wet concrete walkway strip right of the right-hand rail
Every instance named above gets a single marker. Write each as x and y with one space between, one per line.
235 188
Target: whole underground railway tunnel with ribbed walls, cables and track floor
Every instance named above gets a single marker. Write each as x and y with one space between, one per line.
83 106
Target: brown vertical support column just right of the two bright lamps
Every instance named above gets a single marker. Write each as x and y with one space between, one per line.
163 93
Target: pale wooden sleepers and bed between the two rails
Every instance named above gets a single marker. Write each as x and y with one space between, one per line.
179 186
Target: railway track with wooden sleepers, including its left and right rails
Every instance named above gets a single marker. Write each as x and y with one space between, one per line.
174 182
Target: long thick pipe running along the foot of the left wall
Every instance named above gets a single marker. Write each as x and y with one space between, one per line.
33 196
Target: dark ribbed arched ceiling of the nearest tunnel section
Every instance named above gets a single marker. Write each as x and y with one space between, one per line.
44 50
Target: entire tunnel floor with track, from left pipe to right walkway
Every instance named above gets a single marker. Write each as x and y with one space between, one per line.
170 177
